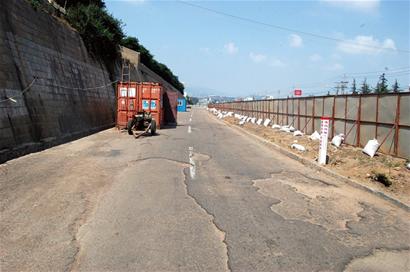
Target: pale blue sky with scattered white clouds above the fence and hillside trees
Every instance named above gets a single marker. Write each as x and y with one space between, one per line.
217 54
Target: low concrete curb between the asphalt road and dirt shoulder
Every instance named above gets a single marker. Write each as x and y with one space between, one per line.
320 168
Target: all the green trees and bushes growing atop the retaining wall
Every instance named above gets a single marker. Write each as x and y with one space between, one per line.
103 34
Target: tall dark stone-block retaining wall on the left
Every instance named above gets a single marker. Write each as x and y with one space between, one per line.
59 106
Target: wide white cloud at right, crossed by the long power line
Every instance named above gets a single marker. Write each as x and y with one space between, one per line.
366 45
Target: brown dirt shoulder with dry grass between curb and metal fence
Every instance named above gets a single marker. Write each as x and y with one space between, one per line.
346 160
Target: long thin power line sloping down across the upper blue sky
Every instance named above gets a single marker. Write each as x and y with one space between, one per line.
288 29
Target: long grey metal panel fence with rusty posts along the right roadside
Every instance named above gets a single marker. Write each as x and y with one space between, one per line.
376 119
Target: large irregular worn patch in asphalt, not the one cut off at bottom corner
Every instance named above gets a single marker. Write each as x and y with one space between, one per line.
310 199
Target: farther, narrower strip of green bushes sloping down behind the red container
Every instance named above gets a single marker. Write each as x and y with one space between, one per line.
148 59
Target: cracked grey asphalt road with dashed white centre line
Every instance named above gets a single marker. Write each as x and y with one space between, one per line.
198 197
